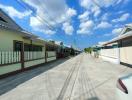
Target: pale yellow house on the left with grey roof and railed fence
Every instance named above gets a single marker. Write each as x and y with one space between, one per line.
19 49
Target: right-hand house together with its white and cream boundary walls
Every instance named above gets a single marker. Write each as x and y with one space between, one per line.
119 49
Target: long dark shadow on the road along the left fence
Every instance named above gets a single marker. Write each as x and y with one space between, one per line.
12 82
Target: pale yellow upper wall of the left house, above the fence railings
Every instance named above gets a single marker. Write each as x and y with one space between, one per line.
7 37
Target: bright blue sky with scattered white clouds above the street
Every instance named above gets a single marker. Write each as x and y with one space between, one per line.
80 23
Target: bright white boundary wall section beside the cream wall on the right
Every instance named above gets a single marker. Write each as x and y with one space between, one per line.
111 55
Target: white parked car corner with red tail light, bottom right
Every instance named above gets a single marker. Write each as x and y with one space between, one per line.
124 88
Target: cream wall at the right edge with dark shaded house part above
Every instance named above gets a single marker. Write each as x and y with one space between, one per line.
126 51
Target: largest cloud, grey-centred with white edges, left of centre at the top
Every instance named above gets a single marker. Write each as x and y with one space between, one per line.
54 12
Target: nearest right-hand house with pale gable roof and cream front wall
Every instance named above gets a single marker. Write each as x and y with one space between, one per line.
125 45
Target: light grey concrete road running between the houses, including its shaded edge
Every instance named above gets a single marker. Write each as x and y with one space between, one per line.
79 78
